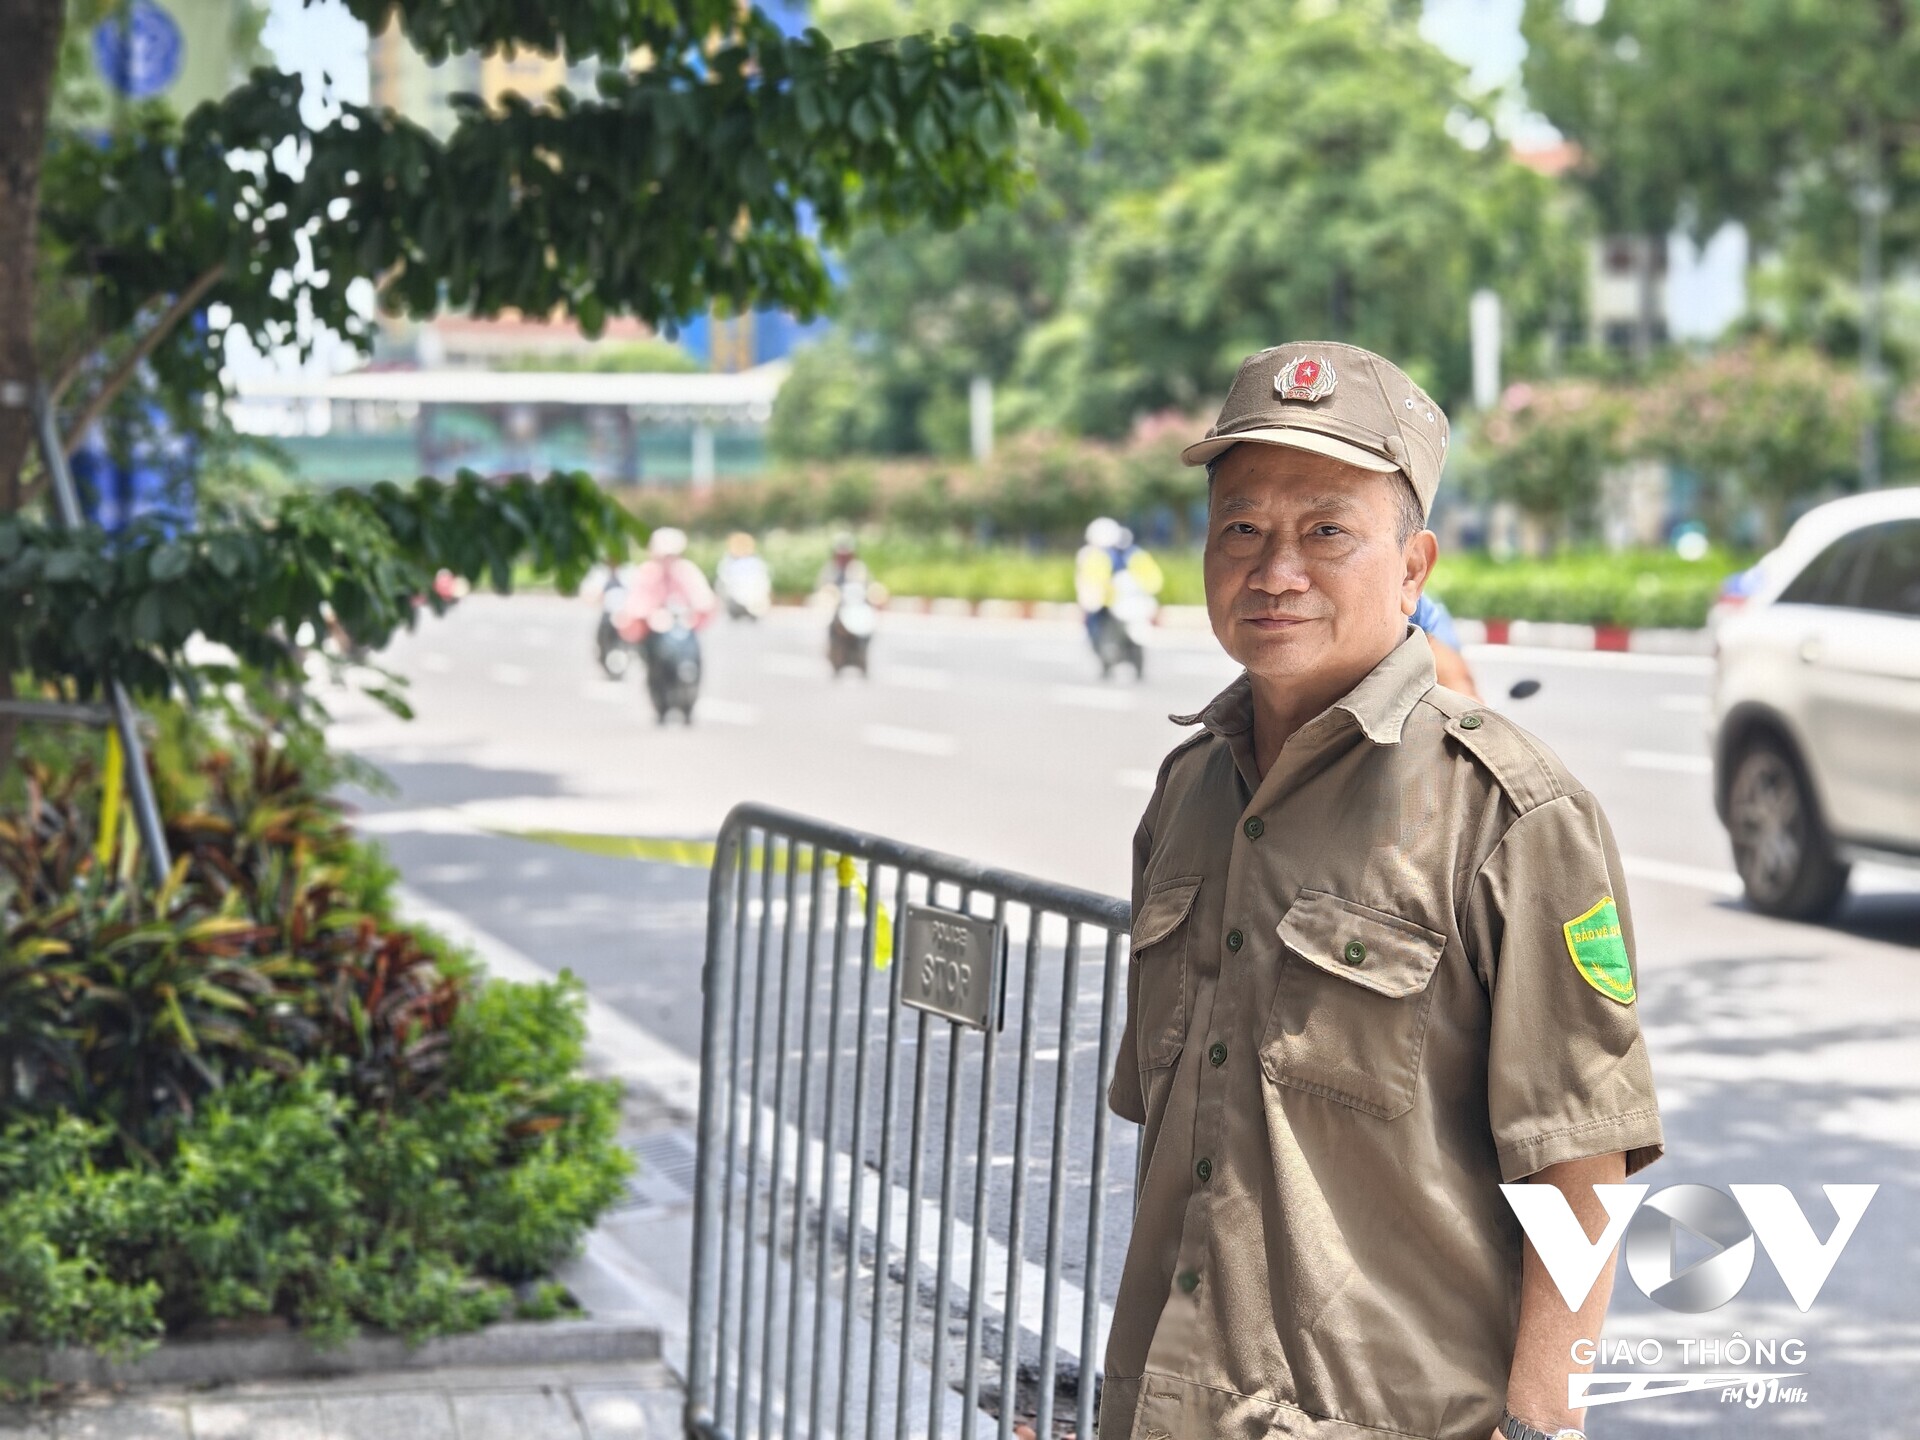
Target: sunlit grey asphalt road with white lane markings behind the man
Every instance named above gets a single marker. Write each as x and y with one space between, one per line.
1785 1053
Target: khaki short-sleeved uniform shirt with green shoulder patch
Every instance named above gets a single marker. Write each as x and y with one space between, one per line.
1364 992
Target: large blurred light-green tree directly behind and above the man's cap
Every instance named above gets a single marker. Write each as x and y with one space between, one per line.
1333 147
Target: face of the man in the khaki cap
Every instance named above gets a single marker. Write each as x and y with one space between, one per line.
1305 573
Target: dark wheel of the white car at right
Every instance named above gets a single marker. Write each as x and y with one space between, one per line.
1781 848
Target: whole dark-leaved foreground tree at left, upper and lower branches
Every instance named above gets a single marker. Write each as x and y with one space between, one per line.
700 174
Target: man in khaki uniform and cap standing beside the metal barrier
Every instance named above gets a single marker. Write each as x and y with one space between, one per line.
1381 965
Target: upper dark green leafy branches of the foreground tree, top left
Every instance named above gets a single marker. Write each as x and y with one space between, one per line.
679 183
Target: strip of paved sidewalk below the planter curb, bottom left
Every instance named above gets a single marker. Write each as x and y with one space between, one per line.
567 1403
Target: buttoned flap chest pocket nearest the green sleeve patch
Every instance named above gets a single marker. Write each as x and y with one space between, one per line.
1351 1011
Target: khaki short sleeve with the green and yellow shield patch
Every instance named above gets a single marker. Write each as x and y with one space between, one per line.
1552 934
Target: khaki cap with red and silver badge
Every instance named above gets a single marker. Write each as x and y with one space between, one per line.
1333 400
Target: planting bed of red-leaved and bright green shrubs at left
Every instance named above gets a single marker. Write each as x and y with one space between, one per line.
252 1093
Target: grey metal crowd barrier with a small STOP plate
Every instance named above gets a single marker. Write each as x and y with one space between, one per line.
863 1272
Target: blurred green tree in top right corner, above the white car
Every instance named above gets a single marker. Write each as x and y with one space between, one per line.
1796 120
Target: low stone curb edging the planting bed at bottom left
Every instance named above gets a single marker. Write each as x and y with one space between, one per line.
293 1356
